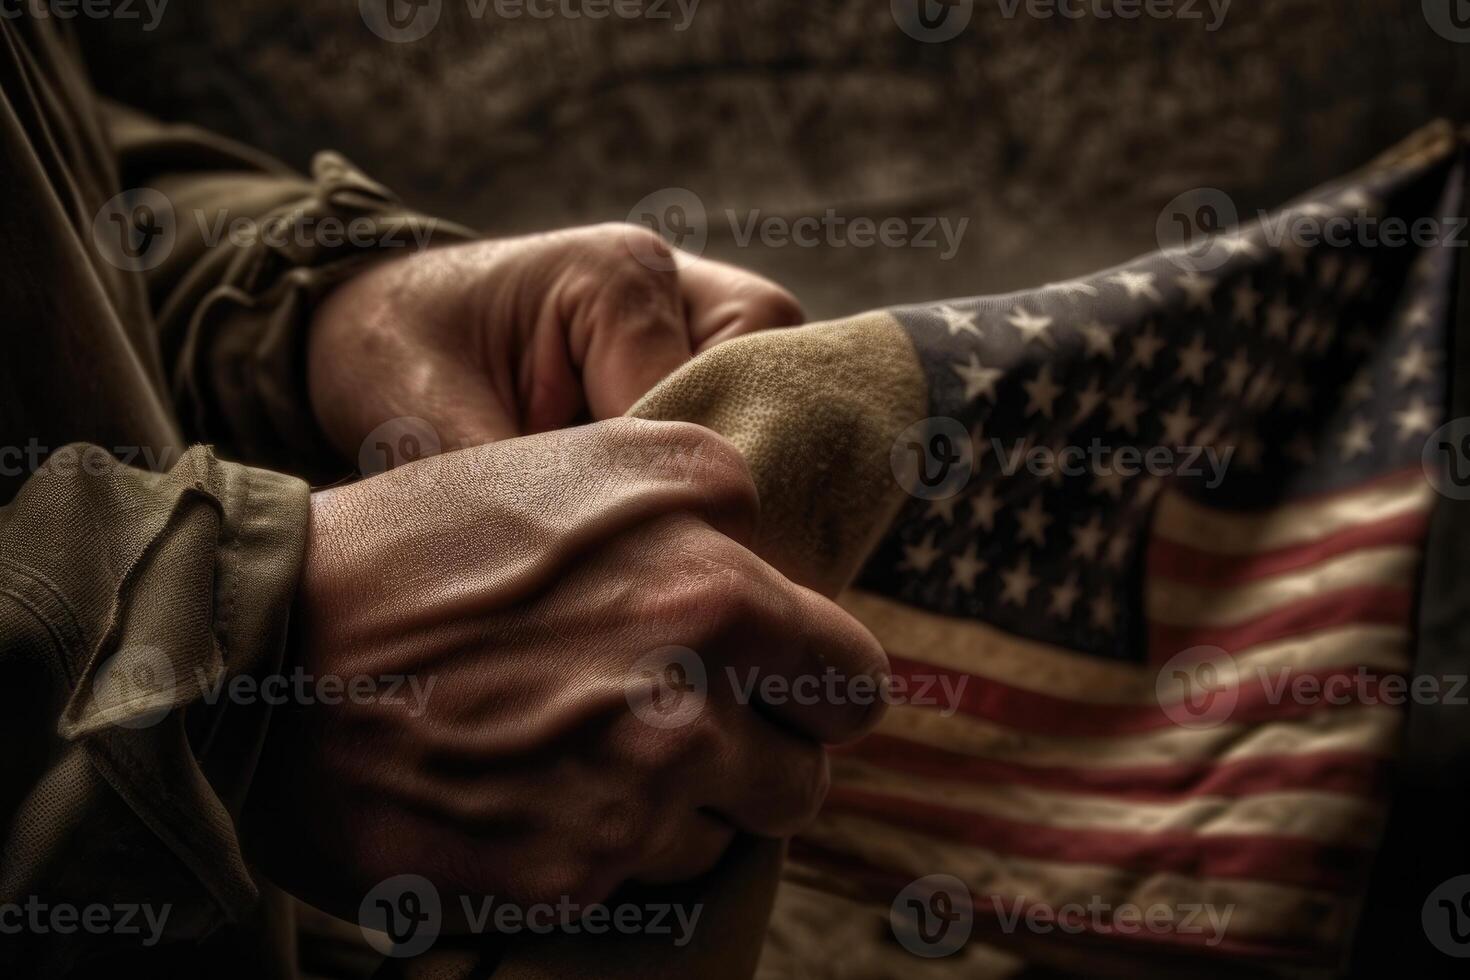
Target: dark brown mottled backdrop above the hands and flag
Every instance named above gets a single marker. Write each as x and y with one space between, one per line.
1061 140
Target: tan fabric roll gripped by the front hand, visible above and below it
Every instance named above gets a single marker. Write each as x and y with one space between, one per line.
815 412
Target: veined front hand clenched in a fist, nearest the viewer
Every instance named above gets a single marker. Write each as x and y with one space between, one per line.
530 581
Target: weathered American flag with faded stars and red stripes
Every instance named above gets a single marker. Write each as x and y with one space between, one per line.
1072 771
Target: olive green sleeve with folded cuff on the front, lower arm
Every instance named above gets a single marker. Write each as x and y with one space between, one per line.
129 602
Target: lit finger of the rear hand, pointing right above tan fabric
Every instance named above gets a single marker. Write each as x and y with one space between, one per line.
725 302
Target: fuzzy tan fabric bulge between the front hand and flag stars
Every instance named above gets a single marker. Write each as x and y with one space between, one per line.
815 412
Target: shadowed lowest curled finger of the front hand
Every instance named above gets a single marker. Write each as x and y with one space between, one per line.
767 781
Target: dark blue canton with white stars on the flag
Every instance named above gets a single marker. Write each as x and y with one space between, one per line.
1305 367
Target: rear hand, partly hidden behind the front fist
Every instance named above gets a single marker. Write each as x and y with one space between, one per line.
508 337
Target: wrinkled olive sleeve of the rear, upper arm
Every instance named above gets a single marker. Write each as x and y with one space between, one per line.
246 251
